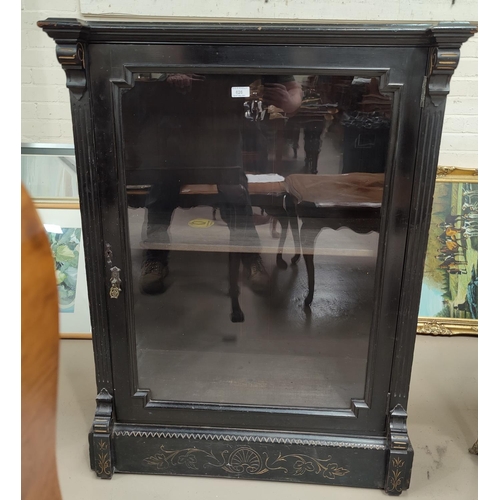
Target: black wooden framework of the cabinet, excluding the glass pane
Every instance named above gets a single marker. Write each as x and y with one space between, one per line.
366 445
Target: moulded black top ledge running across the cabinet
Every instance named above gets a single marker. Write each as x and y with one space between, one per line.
338 33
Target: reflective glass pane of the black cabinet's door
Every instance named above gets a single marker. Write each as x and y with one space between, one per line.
254 210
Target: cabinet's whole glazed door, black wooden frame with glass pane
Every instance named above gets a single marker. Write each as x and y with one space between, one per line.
255 212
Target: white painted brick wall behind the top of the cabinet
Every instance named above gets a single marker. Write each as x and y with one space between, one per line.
45 114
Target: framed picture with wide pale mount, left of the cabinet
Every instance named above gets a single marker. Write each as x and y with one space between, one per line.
64 230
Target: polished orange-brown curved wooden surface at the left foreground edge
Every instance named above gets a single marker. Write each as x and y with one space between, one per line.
39 358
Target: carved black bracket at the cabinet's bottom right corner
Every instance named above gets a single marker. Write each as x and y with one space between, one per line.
400 453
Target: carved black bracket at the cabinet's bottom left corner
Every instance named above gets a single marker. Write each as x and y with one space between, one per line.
101 456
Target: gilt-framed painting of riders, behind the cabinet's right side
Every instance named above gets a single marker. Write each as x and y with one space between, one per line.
449 297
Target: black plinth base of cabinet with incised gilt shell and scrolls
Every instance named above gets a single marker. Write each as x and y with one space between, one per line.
307 458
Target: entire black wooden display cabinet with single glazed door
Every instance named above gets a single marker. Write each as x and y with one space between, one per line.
255 205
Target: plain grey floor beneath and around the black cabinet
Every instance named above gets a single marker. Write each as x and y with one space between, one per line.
443 424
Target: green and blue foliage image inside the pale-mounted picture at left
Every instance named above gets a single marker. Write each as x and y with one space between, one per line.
66 251
